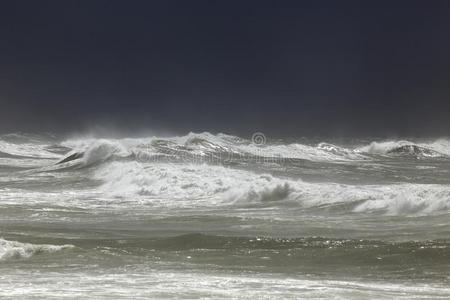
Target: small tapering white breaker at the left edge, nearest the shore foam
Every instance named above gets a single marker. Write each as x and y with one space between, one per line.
14 249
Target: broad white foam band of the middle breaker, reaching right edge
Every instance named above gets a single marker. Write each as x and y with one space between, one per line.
176 185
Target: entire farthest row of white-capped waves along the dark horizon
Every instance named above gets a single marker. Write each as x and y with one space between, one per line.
207 145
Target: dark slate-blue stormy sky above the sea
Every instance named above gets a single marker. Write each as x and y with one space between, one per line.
288 68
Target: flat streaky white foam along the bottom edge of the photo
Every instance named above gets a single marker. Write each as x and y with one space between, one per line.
154 282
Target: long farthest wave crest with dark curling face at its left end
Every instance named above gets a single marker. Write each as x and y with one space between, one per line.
207 146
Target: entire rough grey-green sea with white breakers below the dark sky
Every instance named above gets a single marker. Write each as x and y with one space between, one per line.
219 216
